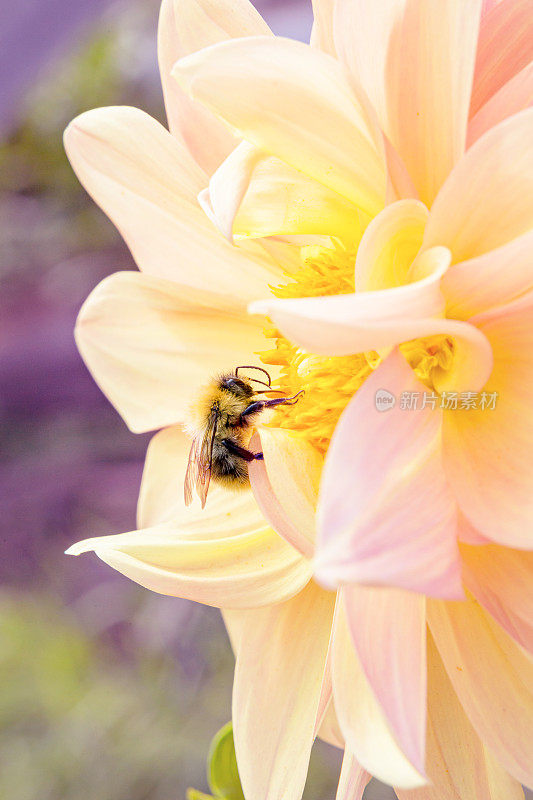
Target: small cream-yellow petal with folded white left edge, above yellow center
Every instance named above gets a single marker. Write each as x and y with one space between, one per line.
244 196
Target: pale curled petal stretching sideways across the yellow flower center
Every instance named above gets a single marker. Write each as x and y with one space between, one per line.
354 323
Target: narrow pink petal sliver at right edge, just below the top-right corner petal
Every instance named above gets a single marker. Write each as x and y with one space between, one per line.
513 97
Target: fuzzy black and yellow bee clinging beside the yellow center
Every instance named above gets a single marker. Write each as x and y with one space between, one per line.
226 412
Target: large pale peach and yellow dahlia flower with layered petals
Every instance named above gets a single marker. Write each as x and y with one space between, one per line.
356 213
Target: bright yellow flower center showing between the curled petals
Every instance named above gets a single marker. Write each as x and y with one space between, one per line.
330 382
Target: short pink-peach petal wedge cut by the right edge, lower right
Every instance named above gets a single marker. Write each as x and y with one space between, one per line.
501 579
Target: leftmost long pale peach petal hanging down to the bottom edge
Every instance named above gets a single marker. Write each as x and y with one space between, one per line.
278 679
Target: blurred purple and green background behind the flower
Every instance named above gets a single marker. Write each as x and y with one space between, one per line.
108 692
